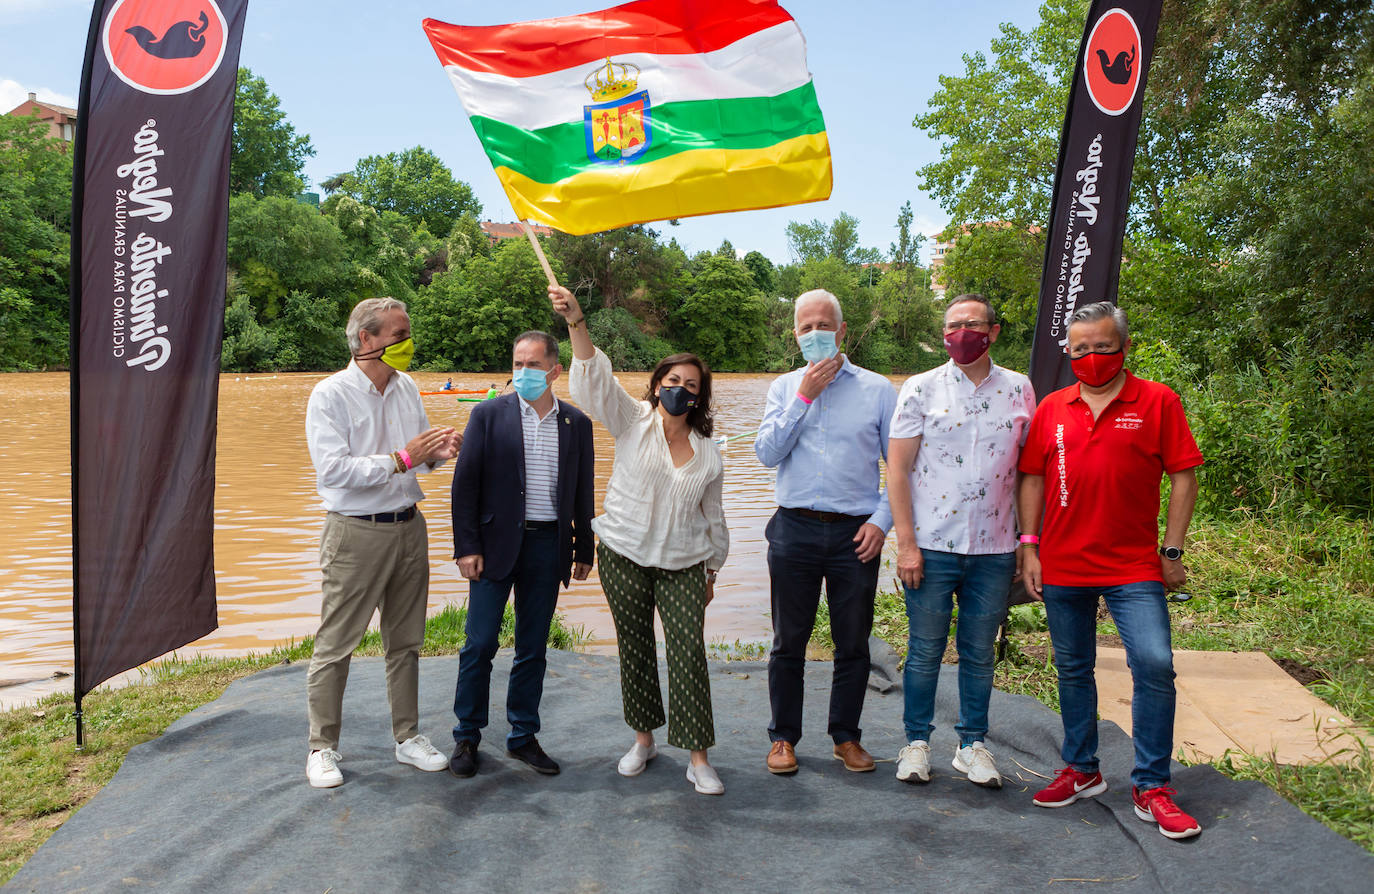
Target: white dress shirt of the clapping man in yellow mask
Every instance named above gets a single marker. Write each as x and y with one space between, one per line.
352 431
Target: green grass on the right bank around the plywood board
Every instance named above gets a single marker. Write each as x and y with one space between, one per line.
1298 588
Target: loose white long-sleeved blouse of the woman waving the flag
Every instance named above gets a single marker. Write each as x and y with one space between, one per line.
656 514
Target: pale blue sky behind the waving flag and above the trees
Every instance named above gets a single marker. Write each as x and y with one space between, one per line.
361 79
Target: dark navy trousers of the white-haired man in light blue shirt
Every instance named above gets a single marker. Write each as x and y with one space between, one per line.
802 554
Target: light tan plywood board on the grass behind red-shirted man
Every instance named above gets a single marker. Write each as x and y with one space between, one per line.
1239 702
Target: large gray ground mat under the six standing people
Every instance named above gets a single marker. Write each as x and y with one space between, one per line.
221 804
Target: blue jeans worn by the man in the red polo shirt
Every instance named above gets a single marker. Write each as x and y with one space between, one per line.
1142 620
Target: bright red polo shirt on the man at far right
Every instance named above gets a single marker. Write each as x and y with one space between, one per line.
1103 481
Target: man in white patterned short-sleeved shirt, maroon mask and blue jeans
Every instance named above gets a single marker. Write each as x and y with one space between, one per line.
957 435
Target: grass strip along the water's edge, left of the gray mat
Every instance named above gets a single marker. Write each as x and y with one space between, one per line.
45 779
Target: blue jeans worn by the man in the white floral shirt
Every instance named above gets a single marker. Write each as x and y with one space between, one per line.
983 584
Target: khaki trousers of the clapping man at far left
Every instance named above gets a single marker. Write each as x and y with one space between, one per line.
369 566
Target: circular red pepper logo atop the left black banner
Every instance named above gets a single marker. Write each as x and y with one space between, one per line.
166 46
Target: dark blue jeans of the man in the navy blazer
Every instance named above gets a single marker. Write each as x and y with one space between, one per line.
535 579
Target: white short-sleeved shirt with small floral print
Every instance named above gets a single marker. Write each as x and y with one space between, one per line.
962 487
